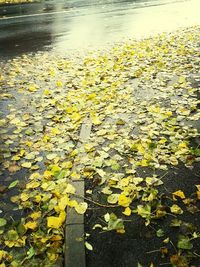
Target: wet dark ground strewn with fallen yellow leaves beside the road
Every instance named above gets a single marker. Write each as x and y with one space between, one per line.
142 100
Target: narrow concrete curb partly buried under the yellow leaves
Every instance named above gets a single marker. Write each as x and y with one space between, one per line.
74 229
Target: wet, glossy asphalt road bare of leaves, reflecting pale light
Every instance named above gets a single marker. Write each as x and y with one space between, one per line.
74 24
